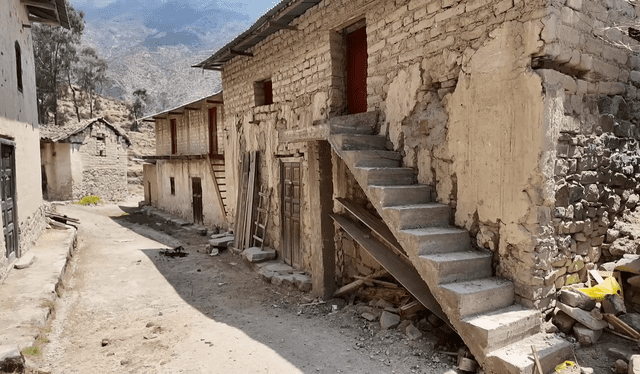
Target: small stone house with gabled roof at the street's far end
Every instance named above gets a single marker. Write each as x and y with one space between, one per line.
84 159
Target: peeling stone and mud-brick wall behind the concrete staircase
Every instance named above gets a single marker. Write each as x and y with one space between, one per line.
476 96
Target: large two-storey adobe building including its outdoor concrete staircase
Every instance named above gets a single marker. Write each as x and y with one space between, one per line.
497 141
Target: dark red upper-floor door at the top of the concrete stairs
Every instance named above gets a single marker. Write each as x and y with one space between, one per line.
357 71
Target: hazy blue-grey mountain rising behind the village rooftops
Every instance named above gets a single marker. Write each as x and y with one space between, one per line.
152 44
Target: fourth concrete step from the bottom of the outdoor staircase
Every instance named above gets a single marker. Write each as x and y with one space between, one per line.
458 266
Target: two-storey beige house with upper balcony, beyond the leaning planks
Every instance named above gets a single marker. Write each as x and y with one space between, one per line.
186 176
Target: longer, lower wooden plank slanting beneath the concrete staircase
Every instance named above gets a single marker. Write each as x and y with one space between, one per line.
399 268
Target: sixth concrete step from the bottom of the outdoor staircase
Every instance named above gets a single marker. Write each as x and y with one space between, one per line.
418 215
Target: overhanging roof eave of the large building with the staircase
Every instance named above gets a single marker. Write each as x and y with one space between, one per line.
282 14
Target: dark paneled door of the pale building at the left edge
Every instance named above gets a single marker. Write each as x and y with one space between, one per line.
8 198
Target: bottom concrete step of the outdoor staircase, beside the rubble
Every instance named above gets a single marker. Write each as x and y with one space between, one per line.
517 358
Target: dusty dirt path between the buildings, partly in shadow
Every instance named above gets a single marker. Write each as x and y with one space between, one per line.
203 314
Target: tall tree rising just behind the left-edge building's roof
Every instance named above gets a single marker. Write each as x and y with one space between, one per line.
55 50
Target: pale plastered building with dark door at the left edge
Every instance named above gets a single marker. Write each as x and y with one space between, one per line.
22 212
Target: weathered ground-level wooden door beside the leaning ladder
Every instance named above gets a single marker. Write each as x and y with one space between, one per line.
291 193
